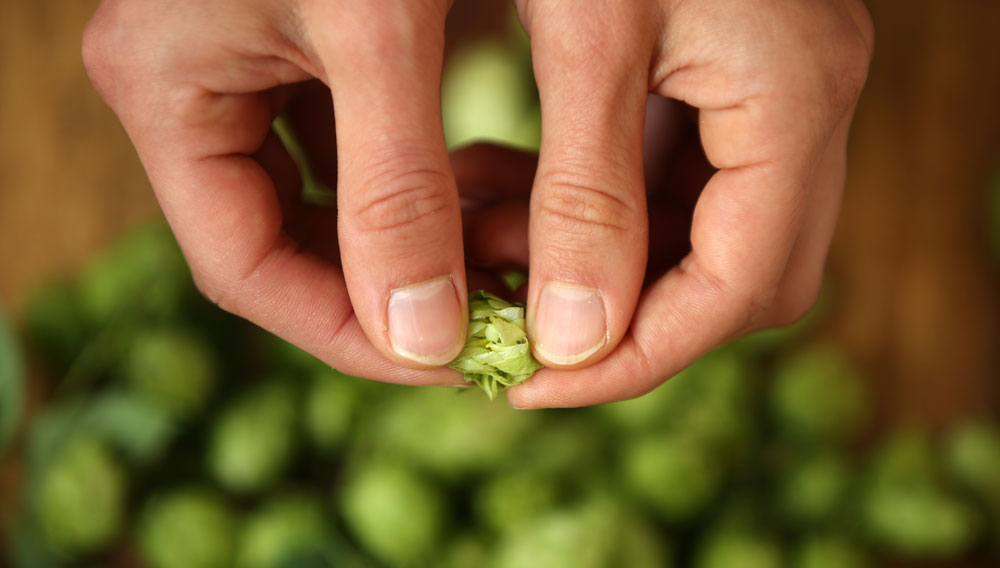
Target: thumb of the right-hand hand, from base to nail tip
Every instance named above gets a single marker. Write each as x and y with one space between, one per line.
588 227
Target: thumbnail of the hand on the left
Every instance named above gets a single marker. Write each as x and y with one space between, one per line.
425 323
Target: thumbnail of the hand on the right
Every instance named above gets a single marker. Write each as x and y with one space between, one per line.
570 324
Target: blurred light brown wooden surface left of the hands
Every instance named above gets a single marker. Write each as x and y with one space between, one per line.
69 179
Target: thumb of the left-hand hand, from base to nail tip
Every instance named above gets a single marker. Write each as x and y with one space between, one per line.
399 216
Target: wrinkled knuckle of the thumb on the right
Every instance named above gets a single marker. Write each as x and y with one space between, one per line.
580 207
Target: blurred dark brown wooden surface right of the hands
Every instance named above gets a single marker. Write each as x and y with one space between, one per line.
916 290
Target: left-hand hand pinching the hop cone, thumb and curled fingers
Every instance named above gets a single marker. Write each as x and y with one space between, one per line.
378 290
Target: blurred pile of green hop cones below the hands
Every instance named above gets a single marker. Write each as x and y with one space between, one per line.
170 422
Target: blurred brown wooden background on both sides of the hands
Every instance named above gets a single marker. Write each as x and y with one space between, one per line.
914 291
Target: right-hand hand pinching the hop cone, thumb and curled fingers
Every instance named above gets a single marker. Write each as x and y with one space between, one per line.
774 84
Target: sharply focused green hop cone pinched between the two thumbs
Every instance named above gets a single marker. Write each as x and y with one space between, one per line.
496 355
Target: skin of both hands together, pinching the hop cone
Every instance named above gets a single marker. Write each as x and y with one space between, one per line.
378 288
